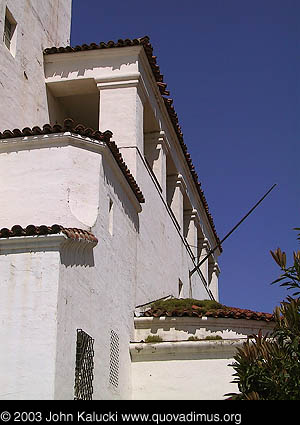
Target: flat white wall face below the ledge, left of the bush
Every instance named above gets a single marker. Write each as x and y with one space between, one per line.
182 380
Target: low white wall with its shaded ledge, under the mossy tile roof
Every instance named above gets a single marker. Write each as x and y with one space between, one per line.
187 370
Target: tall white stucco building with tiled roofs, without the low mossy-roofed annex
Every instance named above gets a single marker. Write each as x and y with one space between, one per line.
101 207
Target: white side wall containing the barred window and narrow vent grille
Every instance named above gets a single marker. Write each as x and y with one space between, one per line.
98 297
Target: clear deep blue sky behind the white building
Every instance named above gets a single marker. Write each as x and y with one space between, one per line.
232 67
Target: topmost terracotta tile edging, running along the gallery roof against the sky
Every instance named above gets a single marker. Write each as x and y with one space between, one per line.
162 86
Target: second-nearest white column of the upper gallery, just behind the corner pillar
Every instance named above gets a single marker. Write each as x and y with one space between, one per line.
156 155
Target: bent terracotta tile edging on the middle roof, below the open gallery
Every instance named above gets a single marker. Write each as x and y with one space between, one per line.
69 126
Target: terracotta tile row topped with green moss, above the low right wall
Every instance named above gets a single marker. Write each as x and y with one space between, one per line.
225 312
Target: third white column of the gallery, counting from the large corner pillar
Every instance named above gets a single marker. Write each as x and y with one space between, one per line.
175 191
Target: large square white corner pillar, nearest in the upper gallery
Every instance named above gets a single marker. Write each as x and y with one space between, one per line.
121 111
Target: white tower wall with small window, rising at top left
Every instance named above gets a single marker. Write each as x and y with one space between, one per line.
40 24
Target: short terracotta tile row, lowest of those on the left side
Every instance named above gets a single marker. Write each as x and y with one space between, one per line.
31 230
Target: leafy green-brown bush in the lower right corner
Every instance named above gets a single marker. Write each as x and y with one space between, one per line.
268 367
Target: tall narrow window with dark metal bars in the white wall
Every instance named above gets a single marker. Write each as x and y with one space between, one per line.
84 366
